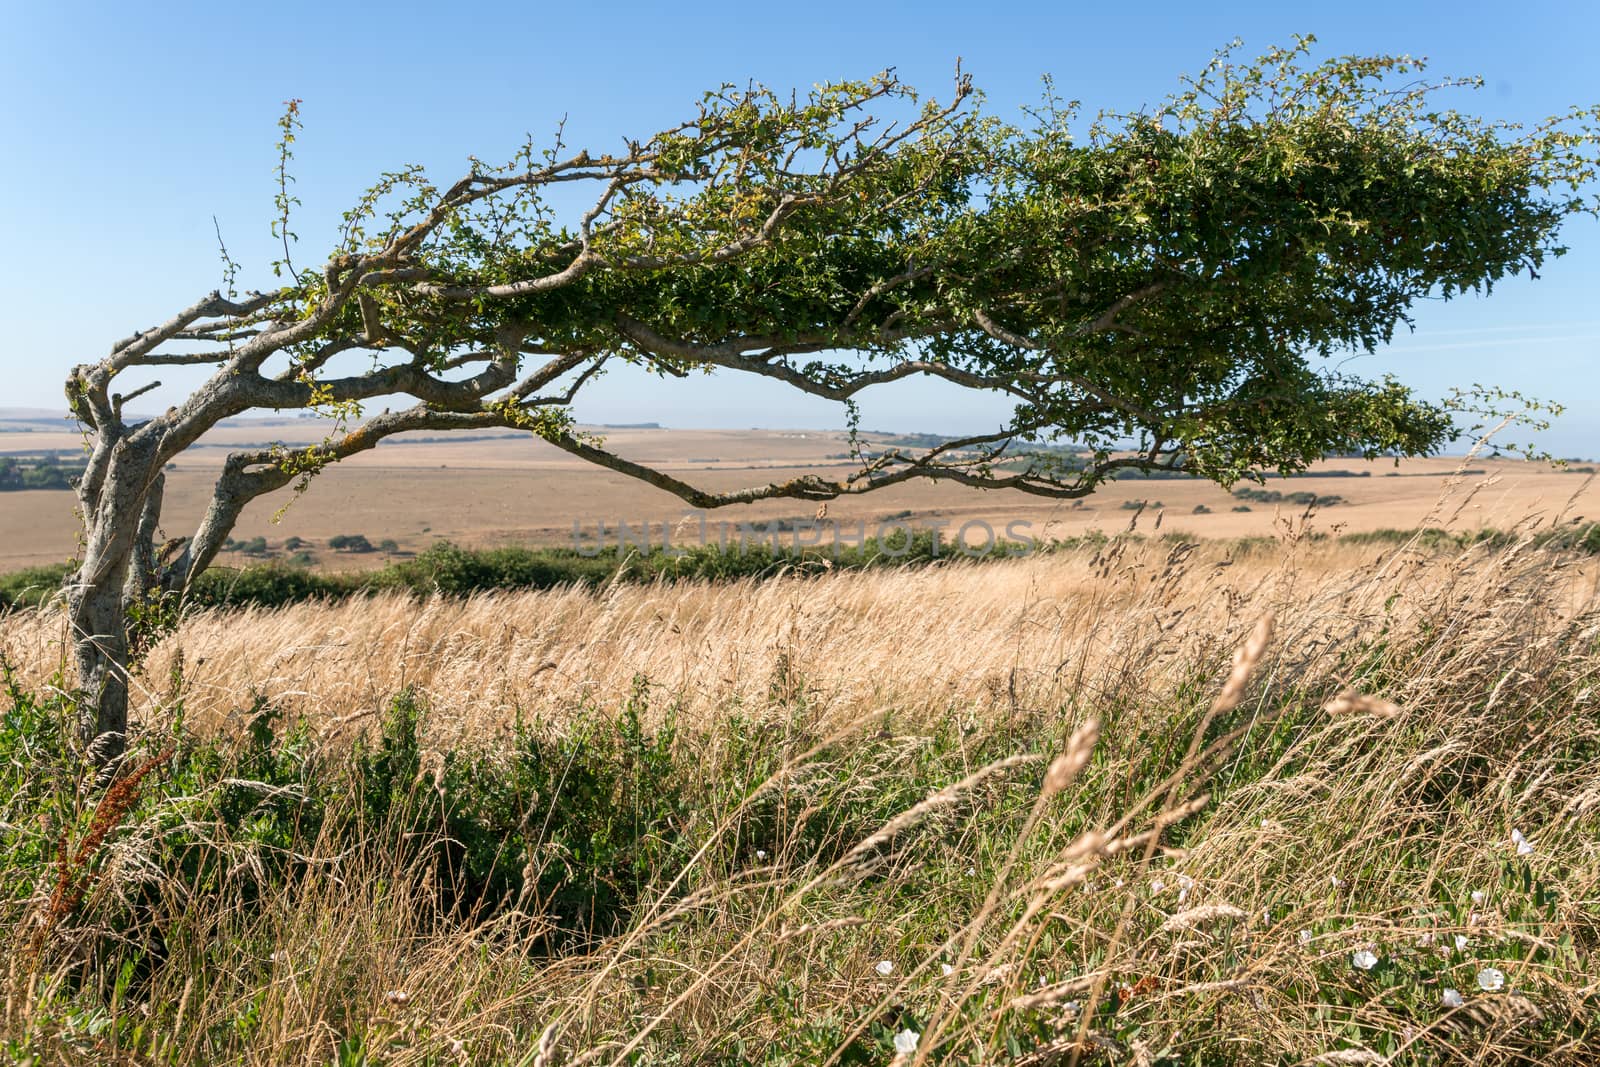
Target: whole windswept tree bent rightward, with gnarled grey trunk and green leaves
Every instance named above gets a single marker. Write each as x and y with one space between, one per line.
1159 289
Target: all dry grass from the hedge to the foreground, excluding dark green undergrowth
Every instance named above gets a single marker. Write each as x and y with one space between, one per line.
1113 850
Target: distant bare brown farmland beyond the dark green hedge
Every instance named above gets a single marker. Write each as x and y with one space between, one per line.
508 489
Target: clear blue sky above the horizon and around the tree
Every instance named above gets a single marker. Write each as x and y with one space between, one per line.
130 126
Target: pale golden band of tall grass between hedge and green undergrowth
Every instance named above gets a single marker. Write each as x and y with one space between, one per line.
977 636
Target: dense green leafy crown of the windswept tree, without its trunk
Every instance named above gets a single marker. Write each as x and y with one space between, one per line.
1174 276
